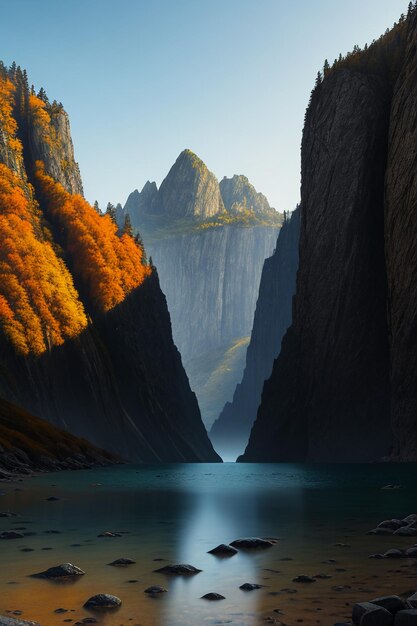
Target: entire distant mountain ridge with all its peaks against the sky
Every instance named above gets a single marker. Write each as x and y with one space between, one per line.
191 198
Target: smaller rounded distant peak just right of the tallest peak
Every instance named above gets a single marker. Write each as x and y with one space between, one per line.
238 194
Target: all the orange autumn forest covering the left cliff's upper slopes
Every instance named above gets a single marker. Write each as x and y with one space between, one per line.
50 238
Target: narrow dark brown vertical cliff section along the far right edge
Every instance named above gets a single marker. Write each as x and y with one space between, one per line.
401 253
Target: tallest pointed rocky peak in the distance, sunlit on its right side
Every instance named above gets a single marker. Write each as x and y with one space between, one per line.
190 189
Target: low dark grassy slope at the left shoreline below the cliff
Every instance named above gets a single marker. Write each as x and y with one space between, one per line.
29 444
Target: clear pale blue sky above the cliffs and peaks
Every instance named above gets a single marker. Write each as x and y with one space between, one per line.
144 79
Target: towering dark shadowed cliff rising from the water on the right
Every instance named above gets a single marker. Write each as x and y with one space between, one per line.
343 386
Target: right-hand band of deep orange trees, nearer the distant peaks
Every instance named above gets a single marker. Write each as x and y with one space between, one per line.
109 266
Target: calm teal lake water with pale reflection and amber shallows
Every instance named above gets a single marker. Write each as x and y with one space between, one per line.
178 513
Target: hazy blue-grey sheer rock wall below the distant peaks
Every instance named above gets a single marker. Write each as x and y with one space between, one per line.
211 290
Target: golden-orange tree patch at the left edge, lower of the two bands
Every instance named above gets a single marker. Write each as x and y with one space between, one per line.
39 306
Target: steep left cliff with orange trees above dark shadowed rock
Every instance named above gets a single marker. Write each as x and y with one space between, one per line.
85 334
